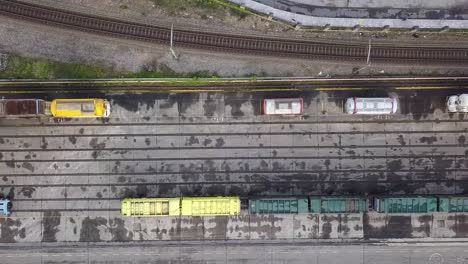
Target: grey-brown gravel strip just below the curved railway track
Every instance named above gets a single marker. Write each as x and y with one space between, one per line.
38 41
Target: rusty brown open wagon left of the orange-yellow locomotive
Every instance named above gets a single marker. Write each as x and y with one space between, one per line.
18 108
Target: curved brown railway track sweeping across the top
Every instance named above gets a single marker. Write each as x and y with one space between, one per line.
294 48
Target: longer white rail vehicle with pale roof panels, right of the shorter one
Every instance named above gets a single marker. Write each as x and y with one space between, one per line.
371 106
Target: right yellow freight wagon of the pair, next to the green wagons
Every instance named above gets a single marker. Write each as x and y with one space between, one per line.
210 206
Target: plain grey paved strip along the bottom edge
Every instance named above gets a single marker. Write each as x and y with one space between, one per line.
236 253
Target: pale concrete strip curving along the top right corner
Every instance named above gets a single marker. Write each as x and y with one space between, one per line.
405 21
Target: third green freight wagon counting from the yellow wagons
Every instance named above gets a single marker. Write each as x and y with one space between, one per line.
399 205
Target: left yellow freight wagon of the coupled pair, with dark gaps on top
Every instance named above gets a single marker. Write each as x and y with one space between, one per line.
138 207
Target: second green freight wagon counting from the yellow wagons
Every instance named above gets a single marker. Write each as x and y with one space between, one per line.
334 205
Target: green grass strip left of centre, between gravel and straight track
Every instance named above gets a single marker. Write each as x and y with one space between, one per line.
27 68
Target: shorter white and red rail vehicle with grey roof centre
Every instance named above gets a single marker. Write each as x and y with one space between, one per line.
283 106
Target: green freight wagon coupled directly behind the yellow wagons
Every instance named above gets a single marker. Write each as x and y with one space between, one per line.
279 206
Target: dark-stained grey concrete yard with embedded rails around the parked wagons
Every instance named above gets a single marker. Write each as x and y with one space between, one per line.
67 179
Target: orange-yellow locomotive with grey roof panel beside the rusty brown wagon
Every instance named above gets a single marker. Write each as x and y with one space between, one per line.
80 108
